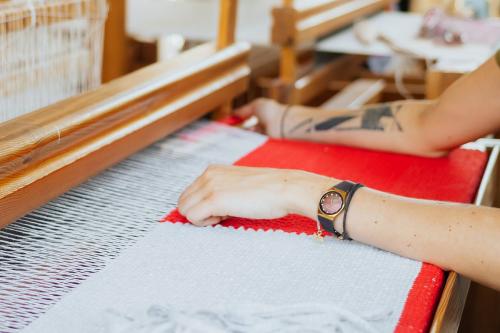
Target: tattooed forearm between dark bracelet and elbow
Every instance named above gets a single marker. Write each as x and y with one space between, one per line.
391 127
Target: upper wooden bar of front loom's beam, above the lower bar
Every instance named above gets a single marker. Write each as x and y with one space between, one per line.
26 140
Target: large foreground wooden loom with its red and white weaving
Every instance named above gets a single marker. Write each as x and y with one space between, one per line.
85 182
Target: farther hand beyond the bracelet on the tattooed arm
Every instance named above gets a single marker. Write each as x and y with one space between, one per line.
268 112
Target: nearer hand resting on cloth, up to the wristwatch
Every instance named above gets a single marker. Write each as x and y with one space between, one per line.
256 193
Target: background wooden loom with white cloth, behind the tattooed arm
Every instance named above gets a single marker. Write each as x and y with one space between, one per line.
298 27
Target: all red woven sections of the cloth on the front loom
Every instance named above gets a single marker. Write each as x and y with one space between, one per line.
455 177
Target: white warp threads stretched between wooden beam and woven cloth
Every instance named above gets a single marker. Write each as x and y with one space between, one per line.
53 249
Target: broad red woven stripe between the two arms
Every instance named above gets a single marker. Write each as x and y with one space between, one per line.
452 178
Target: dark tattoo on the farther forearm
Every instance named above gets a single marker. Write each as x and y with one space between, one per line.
375 118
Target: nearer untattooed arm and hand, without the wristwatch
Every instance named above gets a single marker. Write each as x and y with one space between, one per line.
462 238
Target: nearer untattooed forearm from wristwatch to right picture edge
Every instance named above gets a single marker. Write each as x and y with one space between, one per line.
463 238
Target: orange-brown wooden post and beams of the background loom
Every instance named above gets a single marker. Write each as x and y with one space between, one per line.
295 28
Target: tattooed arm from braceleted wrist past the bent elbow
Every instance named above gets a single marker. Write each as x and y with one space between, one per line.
468 110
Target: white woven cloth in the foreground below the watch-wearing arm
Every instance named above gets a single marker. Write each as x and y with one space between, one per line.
179 271
